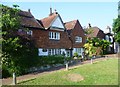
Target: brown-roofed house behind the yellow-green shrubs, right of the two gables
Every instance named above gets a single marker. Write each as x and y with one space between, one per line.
94 32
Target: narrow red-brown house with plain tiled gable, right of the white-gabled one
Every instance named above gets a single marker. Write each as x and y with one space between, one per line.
77 36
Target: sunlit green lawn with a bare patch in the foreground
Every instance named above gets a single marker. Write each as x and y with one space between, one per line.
100 73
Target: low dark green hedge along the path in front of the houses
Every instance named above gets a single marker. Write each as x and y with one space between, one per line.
40 61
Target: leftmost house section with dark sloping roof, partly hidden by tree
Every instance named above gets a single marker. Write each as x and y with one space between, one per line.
27 20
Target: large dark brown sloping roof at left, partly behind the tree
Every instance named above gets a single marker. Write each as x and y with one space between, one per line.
28 20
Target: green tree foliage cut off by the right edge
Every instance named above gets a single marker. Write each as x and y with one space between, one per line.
116 29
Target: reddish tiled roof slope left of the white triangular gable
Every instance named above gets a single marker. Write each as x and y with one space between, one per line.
46 22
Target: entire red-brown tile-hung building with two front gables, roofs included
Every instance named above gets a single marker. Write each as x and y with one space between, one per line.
52 36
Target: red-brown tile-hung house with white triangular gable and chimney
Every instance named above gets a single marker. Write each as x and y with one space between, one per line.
52 39
